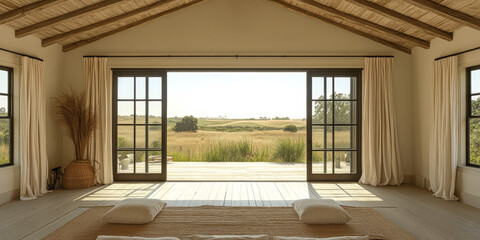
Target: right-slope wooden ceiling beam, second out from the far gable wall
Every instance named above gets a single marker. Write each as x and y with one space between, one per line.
410 39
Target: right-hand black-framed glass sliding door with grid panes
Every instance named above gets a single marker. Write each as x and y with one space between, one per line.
333 125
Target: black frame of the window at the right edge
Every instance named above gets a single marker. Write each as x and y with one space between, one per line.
469 112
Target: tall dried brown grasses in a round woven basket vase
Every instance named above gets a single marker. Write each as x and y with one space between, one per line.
80 123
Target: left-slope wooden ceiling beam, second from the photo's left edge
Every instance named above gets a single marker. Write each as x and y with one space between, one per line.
56 20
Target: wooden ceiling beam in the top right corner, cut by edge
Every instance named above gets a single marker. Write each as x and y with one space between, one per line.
447 13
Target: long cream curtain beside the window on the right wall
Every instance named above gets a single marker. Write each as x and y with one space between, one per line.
445 136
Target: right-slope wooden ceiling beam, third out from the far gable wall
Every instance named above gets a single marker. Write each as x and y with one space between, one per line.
386 12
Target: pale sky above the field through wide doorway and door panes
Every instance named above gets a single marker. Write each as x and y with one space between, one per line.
228 94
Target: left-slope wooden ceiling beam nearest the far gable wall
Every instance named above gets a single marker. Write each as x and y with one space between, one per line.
84 42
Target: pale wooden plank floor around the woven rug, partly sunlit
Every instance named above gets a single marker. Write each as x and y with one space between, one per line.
414 209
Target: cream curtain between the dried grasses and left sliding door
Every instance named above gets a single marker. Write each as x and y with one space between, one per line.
98 84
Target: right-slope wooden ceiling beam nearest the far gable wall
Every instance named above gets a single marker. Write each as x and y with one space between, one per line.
345 27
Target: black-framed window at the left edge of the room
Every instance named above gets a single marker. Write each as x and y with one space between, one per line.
6 117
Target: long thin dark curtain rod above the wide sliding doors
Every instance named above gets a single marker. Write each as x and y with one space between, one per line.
237 56
